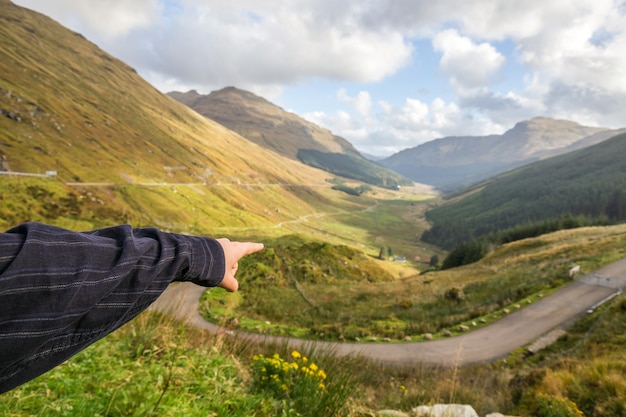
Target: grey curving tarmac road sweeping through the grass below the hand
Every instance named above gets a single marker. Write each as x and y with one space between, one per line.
486 344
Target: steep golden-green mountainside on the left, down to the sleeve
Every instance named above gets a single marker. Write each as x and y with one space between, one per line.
69 107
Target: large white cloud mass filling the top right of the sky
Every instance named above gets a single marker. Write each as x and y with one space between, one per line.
575 51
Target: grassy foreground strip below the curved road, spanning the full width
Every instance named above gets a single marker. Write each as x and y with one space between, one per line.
156 367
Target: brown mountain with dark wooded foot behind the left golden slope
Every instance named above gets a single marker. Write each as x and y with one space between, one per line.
270 126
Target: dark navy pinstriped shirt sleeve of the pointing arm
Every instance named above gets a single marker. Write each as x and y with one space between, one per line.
60 291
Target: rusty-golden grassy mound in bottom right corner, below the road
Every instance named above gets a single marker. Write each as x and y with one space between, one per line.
586 366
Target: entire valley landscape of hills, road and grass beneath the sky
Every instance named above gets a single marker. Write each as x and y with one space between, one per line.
353 250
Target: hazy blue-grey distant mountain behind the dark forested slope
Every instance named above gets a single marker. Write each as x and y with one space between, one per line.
453 162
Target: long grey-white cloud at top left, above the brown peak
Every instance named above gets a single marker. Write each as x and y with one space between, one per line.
235 42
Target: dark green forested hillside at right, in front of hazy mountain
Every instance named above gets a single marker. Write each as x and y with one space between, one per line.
590 182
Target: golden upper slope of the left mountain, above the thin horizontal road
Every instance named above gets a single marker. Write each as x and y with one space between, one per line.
69 106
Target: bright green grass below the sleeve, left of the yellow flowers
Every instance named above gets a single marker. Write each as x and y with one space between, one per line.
148 368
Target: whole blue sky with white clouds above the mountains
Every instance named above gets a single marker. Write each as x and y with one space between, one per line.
386 75
